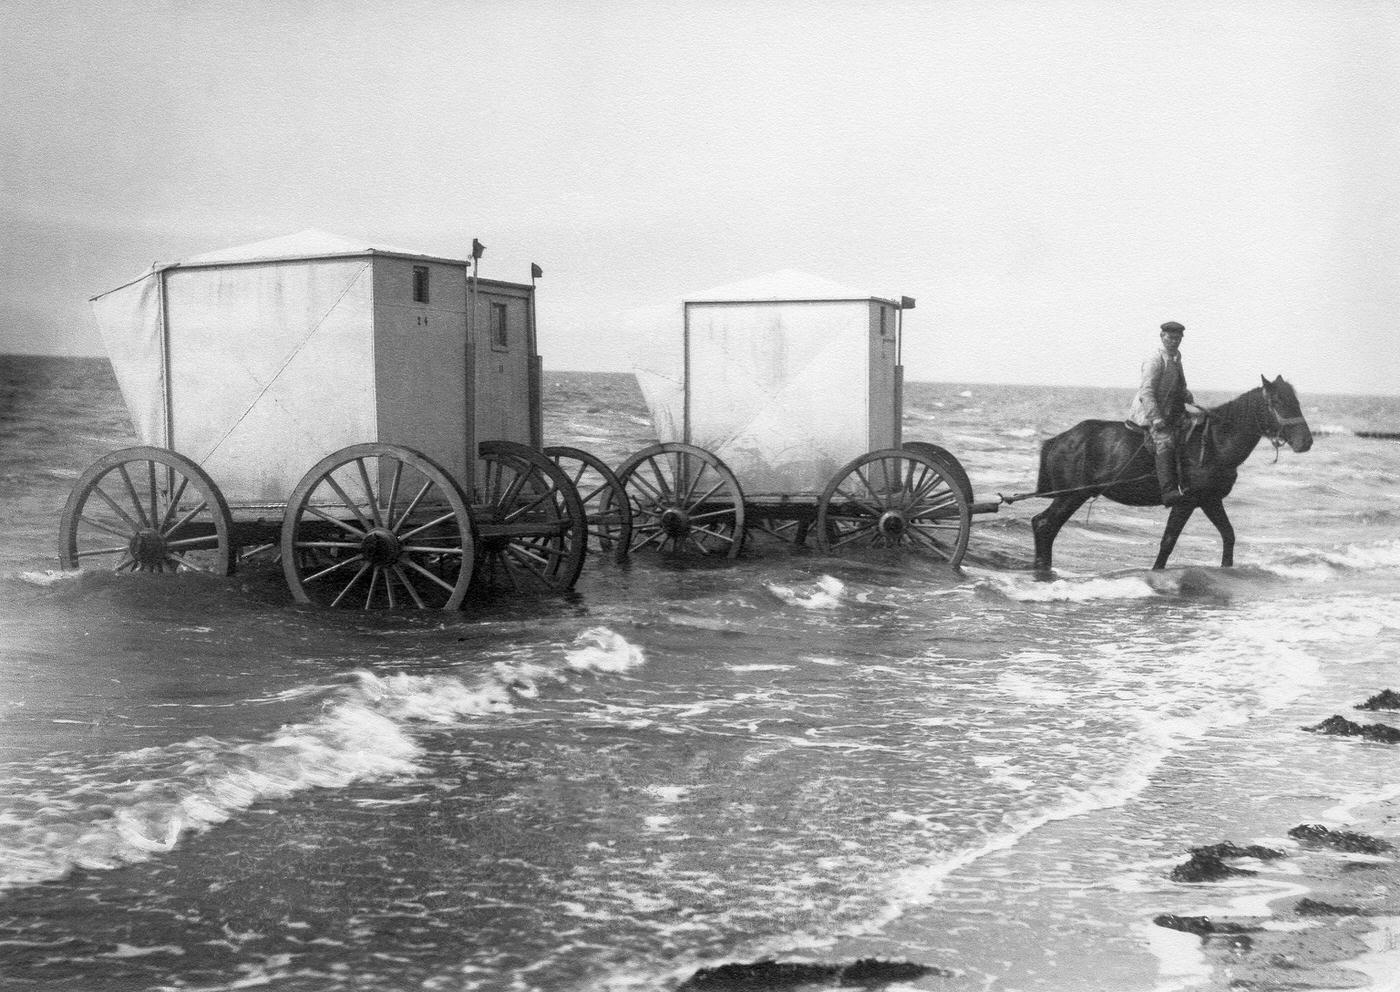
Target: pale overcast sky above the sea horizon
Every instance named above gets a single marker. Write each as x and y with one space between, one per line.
1049 180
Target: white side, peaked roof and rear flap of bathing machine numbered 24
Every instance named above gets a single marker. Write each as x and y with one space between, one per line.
271 359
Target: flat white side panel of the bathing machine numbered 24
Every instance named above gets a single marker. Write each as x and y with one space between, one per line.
271 369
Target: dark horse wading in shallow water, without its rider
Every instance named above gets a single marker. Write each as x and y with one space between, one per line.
1115 460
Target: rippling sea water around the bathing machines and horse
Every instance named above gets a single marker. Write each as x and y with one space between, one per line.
206 787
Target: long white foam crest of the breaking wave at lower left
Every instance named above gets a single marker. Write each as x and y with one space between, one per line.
365 731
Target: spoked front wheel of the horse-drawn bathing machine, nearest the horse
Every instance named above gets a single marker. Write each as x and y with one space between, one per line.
895 499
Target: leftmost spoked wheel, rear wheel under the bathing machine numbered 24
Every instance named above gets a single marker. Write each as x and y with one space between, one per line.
146 510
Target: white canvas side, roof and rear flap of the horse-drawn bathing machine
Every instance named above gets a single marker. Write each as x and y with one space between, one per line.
779 378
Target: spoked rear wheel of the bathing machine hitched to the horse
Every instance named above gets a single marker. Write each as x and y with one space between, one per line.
684 500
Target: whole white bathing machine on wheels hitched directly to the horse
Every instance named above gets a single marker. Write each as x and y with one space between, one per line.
778 405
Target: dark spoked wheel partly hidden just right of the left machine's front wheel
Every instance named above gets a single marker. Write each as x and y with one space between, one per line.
533 524
